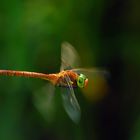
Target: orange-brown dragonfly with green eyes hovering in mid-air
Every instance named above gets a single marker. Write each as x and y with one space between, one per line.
67 79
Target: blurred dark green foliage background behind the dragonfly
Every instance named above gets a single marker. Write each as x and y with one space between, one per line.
105 33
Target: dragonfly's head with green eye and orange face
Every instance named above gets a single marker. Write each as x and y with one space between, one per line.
82 81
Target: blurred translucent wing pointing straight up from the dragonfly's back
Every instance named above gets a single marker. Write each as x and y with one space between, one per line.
69 56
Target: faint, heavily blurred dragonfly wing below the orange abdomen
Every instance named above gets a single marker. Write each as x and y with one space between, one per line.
44 103
